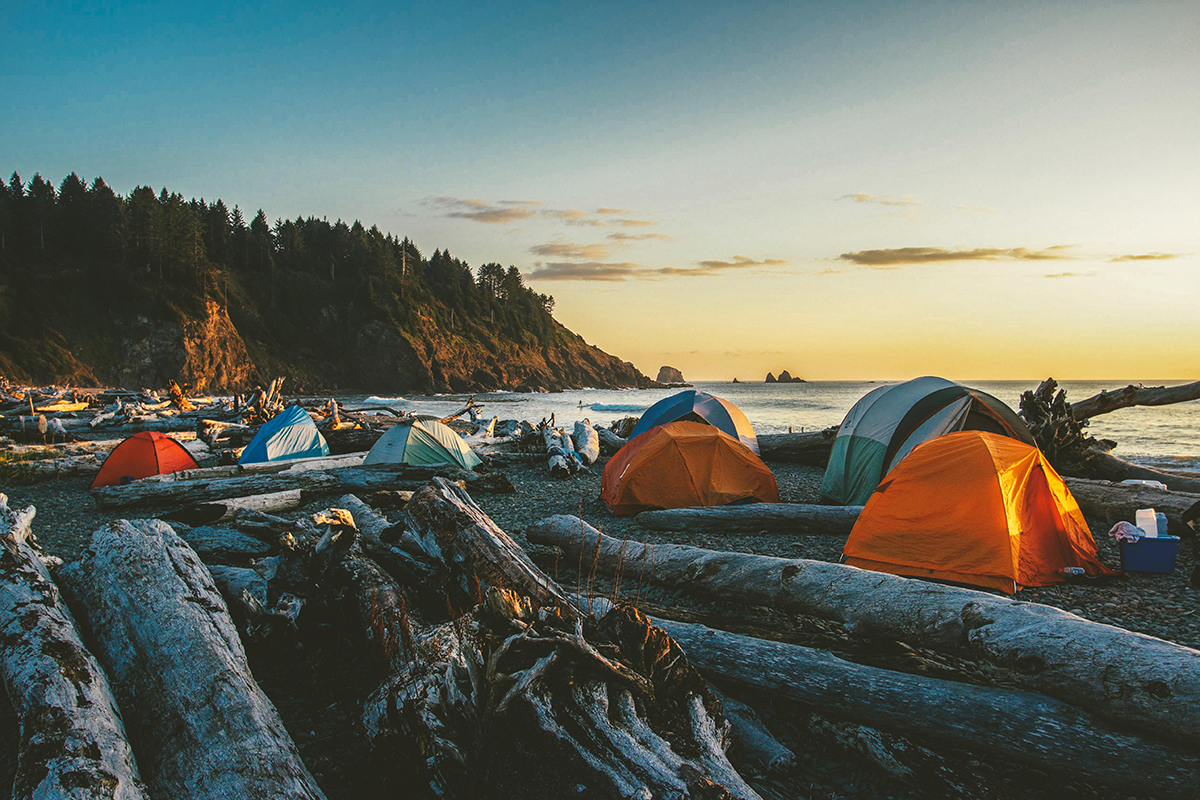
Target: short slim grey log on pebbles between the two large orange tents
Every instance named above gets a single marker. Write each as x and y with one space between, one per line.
757 518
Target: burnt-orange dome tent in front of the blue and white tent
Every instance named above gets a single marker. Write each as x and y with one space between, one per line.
685 465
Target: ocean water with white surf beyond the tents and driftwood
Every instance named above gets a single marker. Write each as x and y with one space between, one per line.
1163 437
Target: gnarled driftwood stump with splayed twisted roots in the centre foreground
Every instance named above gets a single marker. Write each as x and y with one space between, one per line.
513 691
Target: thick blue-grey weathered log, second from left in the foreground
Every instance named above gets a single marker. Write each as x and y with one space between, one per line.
202 726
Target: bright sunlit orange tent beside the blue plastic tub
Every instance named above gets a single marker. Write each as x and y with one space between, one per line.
979 509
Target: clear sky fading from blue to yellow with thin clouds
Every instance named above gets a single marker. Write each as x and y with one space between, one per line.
845 191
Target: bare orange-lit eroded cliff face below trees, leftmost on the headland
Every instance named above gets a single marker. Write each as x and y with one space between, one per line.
207 354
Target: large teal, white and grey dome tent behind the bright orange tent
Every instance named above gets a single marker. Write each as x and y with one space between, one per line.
890 422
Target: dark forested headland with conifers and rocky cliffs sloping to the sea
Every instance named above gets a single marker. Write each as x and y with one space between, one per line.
99 288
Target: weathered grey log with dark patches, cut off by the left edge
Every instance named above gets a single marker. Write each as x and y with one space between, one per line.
73 741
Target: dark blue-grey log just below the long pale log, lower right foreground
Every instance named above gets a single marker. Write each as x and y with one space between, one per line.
1037 731
